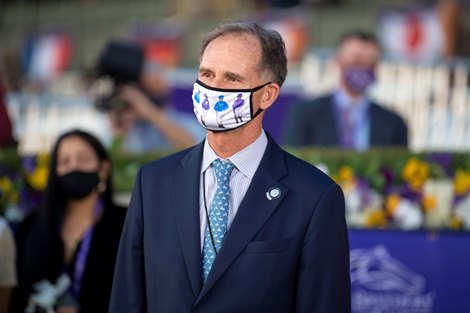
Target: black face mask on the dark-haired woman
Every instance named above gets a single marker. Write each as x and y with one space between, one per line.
78 184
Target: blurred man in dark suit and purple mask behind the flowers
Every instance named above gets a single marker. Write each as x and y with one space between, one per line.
348 118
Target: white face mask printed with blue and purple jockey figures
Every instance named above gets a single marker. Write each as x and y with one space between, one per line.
223 109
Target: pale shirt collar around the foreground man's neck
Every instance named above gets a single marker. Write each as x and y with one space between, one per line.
246 160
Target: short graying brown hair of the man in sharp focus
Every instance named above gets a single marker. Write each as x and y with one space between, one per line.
273 50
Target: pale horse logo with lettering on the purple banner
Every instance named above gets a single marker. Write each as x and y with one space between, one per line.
382 284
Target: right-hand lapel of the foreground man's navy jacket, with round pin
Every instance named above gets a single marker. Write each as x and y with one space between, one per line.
253 212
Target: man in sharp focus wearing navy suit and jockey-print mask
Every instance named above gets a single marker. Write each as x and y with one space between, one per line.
234 224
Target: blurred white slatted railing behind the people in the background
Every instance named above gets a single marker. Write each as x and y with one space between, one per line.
434 101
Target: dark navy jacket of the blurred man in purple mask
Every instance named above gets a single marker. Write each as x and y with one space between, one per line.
313 123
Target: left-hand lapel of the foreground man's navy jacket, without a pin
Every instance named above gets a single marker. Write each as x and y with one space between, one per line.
186 177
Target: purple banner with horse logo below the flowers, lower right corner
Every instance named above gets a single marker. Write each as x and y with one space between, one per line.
410 272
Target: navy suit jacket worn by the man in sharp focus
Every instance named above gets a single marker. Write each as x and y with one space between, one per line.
289 254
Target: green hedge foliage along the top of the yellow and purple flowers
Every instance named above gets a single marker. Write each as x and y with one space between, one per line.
365 164
